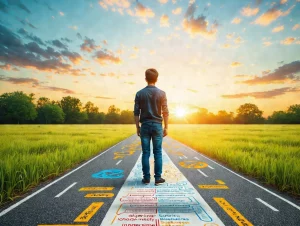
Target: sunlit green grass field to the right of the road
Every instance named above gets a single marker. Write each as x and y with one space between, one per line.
270 153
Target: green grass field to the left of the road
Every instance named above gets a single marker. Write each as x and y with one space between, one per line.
34 153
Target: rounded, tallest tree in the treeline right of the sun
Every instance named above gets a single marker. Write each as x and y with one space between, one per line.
249 113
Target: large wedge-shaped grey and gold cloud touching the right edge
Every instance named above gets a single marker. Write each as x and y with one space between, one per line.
283 74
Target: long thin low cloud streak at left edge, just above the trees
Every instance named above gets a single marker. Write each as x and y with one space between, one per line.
34 83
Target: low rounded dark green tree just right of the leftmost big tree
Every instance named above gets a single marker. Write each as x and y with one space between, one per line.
51 113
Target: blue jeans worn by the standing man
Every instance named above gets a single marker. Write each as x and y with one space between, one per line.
154 131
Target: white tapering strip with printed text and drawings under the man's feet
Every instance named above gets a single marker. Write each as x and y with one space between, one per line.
139 204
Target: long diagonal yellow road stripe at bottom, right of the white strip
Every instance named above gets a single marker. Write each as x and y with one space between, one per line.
232 212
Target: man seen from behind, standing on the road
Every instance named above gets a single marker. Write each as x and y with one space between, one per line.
150 104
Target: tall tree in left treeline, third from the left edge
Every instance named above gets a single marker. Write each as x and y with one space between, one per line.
72 108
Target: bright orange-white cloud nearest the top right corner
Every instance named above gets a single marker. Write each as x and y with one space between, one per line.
271 15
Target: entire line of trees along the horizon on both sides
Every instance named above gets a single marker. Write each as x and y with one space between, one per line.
18 107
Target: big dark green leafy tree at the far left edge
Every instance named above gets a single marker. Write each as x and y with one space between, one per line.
17 107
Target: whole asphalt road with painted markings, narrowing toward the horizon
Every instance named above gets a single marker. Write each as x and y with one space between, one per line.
107 190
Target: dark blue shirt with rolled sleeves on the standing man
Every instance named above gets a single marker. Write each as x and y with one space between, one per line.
150 103
